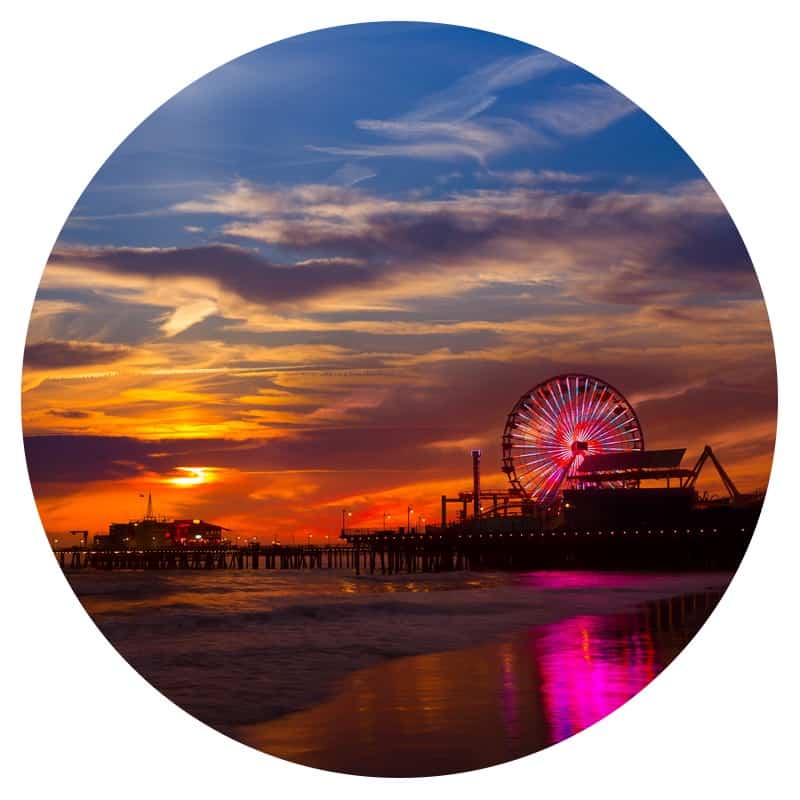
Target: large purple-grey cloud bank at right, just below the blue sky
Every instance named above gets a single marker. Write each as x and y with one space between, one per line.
621 247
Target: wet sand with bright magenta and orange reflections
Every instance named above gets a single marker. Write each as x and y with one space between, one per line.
449 712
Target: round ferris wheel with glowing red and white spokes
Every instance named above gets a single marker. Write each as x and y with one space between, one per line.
559 422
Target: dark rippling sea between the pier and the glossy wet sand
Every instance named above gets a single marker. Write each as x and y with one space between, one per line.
245 651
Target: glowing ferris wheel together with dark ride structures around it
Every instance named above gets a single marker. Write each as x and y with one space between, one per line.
574 442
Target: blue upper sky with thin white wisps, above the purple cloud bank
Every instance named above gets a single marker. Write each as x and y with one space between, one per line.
293 113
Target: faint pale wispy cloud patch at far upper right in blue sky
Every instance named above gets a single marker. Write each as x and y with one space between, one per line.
584 109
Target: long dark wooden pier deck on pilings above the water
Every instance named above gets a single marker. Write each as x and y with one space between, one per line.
392 553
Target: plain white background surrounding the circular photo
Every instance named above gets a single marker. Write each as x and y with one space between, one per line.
79 76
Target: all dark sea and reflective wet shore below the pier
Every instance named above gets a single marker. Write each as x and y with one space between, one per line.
399 678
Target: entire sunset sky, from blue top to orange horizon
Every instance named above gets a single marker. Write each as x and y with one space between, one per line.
320 275
